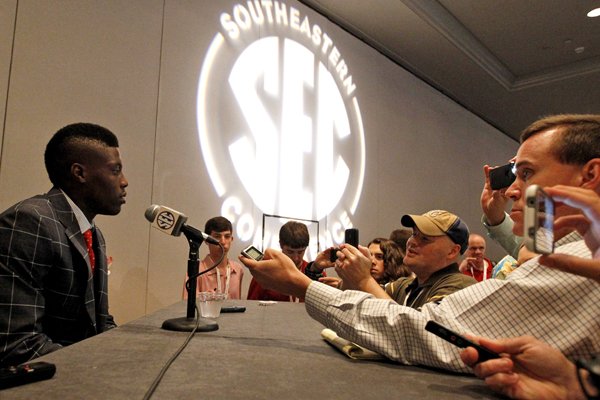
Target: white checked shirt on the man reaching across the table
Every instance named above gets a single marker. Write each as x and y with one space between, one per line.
556 307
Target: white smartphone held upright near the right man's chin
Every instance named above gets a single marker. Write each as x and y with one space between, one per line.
538 221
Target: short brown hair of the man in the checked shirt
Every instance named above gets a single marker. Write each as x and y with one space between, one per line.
579 141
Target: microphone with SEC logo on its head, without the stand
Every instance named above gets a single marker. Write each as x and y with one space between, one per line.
172 223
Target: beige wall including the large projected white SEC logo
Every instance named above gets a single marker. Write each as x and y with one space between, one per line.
233 108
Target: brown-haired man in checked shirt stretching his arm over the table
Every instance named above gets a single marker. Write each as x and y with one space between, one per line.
554 306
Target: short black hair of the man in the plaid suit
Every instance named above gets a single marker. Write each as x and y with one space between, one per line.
63 149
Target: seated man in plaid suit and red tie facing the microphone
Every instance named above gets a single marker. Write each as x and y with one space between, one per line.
53 267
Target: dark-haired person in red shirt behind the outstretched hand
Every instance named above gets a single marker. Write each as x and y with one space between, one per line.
293 239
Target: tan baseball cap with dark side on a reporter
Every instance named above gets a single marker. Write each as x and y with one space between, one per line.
440 223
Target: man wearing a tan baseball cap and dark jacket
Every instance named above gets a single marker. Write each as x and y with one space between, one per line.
438 239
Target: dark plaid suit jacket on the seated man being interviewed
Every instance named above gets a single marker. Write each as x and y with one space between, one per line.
48 298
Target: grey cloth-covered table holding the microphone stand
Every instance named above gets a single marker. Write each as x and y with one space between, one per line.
268 352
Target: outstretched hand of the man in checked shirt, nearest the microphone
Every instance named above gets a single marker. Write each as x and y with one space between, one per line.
277 271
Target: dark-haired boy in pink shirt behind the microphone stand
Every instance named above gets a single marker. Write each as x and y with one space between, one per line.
227 276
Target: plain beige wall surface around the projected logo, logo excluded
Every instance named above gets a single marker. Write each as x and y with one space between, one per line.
133 66
